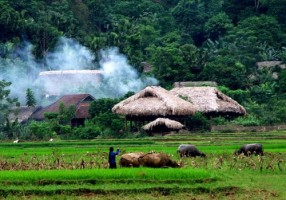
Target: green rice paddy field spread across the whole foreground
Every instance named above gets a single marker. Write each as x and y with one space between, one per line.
79 169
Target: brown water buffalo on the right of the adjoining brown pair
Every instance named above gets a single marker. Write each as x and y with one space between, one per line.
157 160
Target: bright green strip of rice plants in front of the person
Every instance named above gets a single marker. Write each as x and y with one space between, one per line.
105 174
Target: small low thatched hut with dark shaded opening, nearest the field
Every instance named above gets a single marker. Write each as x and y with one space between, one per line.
161 125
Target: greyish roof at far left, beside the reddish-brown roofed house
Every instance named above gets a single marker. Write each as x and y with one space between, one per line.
22 113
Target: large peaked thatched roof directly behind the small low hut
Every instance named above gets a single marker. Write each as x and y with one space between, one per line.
154 101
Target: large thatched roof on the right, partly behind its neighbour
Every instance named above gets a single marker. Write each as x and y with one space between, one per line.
209 100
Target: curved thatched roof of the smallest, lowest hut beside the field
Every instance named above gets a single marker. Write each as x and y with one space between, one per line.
170 124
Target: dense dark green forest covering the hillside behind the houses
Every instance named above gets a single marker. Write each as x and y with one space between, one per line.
183 40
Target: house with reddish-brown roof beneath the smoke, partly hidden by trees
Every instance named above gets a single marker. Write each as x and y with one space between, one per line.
80 101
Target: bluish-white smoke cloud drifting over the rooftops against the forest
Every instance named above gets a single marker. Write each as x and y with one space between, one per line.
118 76
